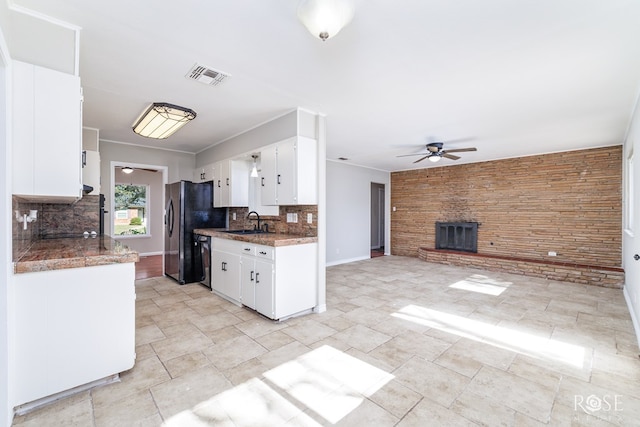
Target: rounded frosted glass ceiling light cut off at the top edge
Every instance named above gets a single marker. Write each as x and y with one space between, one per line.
325 18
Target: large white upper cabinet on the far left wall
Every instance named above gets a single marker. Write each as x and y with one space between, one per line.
47 134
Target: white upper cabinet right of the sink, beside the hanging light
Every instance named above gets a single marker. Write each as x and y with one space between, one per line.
289 173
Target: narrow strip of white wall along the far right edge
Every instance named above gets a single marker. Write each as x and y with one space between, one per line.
631 234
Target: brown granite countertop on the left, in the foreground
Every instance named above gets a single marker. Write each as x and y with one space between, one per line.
73 252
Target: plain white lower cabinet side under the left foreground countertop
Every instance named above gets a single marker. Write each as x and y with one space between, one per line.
73 326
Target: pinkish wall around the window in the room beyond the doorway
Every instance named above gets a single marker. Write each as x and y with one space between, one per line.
154 243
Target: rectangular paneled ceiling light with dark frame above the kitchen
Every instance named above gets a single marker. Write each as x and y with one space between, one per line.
162 120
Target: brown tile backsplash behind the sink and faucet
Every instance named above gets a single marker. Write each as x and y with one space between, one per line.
279 223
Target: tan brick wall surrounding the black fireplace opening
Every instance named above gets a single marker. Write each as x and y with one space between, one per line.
568 202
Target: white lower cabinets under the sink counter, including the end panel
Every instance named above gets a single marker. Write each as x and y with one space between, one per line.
278 282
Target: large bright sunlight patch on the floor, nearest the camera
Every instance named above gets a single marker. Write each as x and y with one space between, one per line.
326 380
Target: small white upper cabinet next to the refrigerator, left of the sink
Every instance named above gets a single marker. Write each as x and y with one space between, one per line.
231 184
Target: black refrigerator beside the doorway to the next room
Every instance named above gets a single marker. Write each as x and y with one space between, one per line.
188 206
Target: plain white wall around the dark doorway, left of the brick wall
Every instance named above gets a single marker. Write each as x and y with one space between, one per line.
349 211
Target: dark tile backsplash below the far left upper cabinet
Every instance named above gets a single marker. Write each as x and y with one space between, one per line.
54 219
